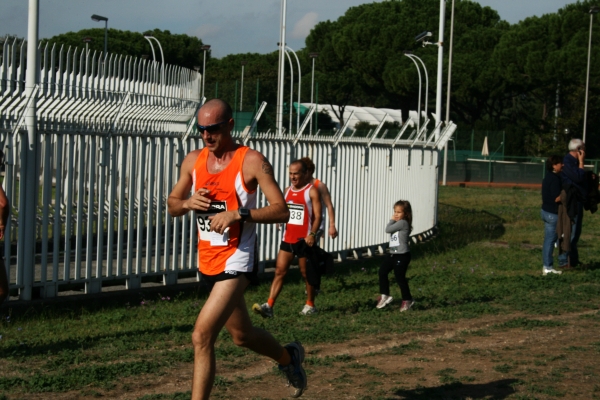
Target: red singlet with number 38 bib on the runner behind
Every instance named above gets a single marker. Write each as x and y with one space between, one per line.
301 214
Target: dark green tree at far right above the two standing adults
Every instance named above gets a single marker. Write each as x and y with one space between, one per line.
542 61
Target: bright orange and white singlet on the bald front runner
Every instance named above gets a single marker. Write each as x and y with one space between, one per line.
234 250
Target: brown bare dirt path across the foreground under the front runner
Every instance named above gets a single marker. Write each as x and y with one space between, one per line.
530 358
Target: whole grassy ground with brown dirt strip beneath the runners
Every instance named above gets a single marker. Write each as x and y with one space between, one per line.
486 324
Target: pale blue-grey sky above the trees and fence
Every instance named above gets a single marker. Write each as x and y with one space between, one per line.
229 26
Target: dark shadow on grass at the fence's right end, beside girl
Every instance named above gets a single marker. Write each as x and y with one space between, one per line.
458 227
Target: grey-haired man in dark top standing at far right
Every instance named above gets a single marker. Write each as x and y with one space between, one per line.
573 174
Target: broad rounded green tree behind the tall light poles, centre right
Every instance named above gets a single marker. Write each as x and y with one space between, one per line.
361 55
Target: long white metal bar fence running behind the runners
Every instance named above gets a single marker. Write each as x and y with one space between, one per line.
110 139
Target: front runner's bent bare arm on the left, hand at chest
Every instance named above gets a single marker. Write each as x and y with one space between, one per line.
179 201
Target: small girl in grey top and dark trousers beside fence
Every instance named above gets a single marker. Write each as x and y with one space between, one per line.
399 228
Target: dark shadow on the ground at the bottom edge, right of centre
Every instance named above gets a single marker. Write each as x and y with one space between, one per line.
492 390
